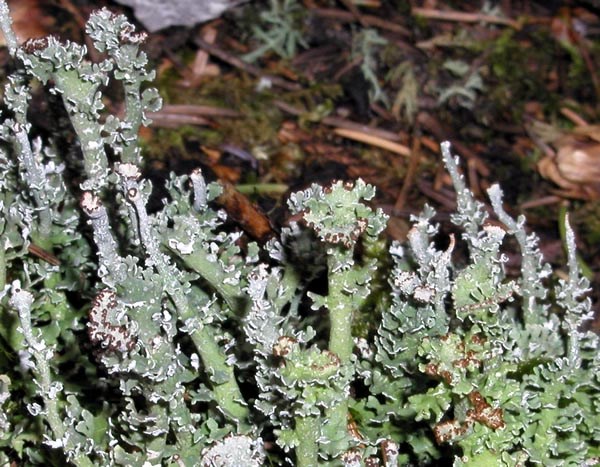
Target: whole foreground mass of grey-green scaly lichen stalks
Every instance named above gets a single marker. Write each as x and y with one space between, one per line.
144 337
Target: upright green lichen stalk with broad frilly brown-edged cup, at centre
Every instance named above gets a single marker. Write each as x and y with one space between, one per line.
339 219
